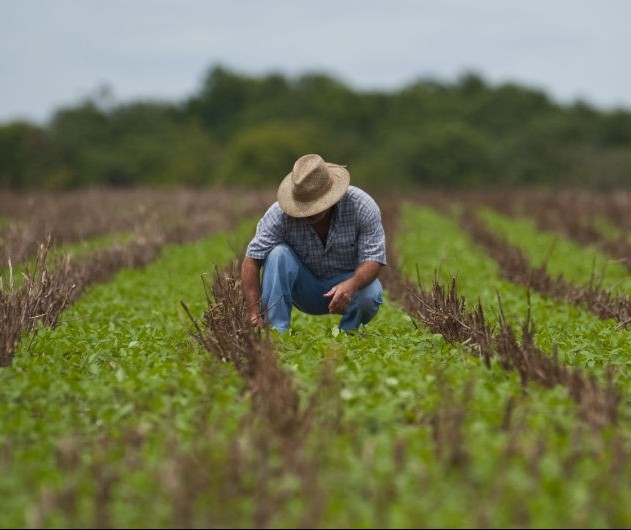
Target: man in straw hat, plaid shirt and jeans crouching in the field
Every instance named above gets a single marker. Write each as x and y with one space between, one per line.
321 246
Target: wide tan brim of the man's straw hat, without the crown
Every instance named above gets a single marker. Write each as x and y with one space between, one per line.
294 208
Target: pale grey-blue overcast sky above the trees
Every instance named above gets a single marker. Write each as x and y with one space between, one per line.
54 53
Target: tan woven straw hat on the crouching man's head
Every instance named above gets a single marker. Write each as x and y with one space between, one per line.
313 186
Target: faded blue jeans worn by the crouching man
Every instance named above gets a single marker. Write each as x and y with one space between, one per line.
287 283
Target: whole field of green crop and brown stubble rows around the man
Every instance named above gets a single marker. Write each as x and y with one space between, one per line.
491 391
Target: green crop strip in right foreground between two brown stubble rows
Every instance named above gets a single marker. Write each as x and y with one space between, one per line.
397 385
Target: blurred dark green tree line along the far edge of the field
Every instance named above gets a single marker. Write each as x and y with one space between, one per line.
240 130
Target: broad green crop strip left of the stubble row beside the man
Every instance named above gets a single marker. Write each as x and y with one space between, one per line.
119 367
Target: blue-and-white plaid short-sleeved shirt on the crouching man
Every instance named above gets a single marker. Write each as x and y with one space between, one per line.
356 235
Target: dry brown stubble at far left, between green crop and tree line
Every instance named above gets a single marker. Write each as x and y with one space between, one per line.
46 285
